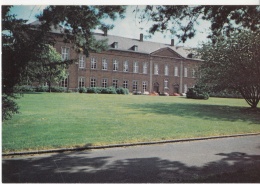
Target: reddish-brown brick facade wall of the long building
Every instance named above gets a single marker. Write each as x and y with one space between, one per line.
155 82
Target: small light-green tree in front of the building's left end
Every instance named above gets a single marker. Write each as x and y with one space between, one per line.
49 67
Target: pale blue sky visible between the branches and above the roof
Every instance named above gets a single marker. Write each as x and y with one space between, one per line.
127 27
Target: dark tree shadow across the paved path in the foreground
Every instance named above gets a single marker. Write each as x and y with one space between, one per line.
81 167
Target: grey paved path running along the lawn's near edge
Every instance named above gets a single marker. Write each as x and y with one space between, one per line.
218 160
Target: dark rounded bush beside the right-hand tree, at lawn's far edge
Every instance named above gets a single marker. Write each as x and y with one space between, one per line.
198 92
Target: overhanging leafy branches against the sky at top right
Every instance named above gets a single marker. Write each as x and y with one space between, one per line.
180 20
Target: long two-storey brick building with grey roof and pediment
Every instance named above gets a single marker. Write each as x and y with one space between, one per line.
141 66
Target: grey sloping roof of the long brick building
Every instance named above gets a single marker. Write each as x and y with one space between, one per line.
127 44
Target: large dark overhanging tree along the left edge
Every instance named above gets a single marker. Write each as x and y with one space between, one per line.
22 42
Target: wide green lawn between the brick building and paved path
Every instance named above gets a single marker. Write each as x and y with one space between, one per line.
72 119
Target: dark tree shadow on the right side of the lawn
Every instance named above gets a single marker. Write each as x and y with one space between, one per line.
210 112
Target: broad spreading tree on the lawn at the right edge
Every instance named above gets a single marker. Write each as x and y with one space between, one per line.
233 63
